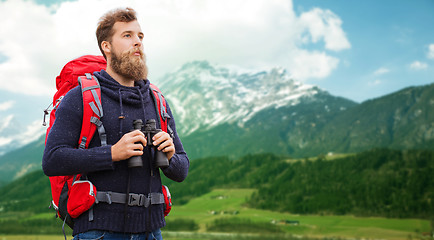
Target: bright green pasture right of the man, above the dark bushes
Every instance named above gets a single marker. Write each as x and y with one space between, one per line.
228 203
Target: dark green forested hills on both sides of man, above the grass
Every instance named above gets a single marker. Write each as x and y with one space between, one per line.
381 182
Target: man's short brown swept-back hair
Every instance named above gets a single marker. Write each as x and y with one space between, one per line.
104 31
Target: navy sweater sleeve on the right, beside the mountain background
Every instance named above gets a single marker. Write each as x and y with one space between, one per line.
179 163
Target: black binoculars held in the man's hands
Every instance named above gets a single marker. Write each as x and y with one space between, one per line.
149 129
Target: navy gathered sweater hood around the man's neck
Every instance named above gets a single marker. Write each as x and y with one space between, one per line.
138 94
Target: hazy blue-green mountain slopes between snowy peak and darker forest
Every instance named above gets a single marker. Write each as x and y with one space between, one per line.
401 120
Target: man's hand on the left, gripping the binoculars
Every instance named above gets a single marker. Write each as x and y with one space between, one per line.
131 144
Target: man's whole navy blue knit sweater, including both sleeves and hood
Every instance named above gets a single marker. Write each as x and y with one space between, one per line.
62 156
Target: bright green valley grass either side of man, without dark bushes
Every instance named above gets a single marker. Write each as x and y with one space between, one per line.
229 204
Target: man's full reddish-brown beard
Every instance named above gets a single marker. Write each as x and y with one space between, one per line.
129 66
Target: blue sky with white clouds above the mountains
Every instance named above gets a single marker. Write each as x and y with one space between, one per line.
354 49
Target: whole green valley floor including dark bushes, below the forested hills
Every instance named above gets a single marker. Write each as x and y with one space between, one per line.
223 214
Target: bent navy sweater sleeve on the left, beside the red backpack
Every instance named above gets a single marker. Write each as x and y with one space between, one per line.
61 154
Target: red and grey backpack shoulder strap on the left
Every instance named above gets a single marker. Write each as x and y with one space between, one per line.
92 111
